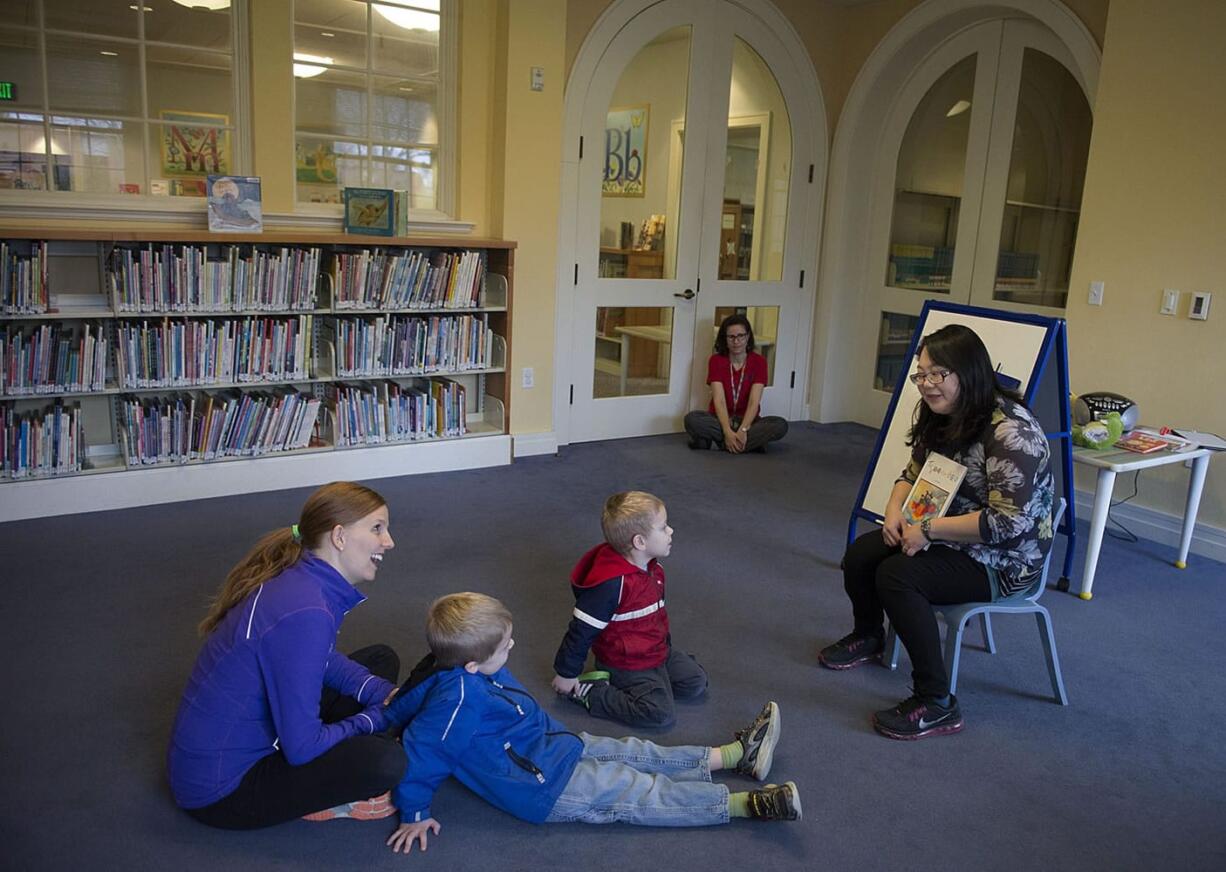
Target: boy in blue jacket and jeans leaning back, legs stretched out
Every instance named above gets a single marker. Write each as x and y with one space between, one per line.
468 717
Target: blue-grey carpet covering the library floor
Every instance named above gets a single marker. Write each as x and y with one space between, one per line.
99 641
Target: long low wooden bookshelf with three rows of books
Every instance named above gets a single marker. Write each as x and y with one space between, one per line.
466 345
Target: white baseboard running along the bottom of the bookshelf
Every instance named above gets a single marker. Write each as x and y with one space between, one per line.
73 495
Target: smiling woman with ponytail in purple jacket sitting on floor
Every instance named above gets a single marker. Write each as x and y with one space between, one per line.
275 724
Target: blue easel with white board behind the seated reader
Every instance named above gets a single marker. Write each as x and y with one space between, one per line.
1021 344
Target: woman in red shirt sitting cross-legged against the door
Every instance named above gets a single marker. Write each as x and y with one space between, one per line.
737 376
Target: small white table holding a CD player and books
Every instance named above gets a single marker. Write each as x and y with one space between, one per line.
1114 462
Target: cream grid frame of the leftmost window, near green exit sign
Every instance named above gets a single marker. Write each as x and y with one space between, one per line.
55 204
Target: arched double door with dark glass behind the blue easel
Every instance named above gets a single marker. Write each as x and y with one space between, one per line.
980 176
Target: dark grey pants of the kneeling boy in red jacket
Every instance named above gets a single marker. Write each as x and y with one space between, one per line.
645 697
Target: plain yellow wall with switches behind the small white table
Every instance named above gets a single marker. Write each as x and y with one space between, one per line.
1154 216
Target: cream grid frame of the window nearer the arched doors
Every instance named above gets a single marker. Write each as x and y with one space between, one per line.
446 112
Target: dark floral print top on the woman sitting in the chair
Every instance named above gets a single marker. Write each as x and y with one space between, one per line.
1010 481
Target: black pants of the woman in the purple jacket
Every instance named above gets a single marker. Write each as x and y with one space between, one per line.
362 767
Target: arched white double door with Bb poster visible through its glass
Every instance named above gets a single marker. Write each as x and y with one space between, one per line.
692 203
